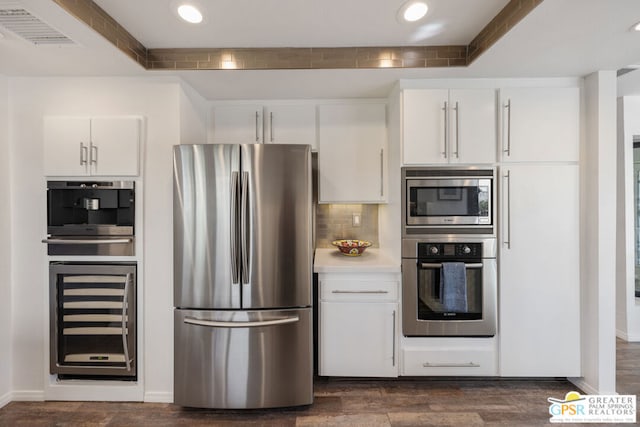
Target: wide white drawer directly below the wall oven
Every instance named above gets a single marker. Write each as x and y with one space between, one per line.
454 362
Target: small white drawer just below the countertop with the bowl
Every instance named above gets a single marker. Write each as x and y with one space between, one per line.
358 290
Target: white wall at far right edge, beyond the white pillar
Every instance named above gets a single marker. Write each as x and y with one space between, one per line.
627 306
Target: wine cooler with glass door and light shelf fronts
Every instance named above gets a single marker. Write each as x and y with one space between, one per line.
93 320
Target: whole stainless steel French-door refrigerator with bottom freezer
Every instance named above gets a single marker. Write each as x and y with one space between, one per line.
242 275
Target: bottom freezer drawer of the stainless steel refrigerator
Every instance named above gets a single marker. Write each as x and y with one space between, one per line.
243 359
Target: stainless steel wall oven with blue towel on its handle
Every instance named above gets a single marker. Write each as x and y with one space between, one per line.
449 286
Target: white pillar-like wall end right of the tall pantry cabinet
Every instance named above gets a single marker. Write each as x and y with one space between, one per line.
598 231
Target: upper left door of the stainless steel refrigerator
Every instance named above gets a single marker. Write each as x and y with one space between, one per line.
205 219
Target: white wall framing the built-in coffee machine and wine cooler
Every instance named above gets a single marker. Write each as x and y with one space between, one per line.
158 100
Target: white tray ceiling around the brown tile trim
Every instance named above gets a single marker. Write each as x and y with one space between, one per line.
558 38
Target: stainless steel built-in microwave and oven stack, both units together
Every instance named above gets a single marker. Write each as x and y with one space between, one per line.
449 252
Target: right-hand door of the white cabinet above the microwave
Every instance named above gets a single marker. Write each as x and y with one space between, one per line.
472 126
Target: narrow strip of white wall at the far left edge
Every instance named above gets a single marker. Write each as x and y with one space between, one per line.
5 253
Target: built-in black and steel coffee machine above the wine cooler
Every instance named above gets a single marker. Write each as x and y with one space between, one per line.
90 217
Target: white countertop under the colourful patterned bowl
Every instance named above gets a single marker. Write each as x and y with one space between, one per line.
373 260
